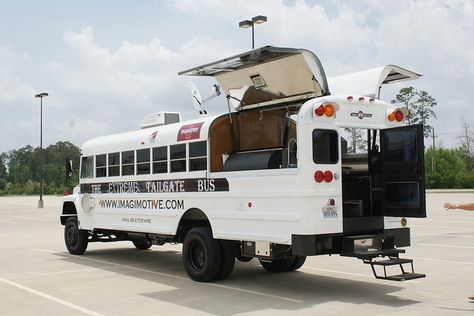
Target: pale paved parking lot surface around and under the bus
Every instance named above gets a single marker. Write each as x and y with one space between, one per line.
39 277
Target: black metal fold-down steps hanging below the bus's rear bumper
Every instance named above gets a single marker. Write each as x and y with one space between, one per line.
392 261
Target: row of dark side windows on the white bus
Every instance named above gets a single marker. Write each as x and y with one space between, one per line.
147 161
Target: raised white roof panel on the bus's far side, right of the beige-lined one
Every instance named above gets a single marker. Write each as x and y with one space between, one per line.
369 82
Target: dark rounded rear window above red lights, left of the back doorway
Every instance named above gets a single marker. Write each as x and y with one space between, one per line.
325 146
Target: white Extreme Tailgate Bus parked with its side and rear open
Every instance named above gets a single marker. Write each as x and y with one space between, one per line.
270 179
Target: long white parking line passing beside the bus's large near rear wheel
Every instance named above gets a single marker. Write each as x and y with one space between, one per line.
182 278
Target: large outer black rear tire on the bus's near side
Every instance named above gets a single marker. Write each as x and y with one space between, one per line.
201 254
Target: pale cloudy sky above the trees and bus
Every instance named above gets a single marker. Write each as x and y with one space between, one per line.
107 64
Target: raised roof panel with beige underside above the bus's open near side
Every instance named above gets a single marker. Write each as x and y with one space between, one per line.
268 75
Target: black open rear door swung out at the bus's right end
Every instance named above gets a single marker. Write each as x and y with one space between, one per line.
403 171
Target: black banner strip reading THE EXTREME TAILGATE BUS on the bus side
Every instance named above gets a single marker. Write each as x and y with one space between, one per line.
158 186
